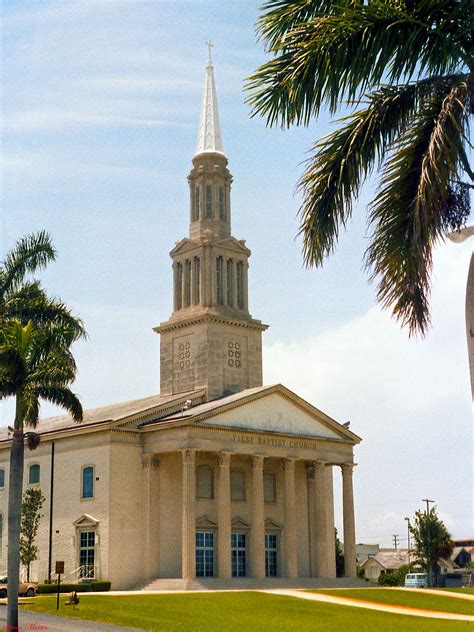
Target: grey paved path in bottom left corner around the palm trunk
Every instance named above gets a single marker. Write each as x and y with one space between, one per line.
51 623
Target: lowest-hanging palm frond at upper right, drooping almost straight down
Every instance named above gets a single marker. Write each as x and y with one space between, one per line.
409 214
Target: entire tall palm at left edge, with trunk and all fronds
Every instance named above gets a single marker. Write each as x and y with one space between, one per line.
26 309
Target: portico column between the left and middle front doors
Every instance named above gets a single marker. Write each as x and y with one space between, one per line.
224 563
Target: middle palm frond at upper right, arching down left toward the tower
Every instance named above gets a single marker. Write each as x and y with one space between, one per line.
343 159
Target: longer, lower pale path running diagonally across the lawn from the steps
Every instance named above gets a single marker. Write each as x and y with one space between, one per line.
370 605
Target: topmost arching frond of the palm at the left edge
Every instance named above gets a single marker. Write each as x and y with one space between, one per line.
30 253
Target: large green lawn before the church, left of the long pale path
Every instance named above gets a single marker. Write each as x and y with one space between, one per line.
237 612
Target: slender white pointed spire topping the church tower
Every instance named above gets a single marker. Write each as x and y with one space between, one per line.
209 133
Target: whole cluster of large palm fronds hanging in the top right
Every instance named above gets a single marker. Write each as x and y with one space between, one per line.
407 68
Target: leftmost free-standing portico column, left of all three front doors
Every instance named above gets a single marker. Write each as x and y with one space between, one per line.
188 515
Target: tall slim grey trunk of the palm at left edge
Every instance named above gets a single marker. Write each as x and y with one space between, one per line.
15 489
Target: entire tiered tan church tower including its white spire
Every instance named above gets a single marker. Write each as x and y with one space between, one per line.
210 341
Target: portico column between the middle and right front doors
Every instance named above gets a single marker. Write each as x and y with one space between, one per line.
257 536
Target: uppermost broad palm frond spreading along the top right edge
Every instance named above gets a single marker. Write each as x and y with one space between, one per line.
337 55
